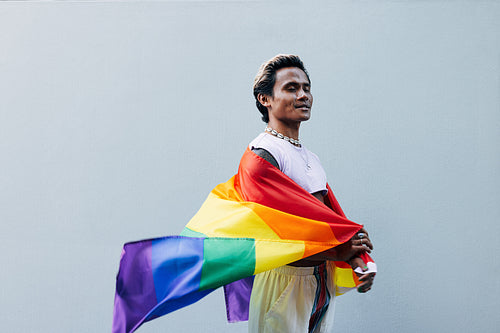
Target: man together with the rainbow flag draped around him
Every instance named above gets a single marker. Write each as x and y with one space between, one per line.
262 218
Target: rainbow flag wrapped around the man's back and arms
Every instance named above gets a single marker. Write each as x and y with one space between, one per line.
258 220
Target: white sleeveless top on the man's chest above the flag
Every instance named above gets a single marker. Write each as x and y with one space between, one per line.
298 163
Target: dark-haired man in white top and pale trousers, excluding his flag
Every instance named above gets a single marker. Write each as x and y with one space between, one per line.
296 297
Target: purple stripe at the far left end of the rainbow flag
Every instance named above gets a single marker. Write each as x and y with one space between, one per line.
135 293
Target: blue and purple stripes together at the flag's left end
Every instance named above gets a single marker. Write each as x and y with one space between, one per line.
156 277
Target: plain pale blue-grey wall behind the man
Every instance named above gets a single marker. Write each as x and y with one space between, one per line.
118 118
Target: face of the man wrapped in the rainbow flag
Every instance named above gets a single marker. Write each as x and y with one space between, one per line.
292 99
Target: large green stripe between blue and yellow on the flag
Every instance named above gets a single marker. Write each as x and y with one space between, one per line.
226 260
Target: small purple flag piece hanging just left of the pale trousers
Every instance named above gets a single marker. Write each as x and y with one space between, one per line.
237 296
